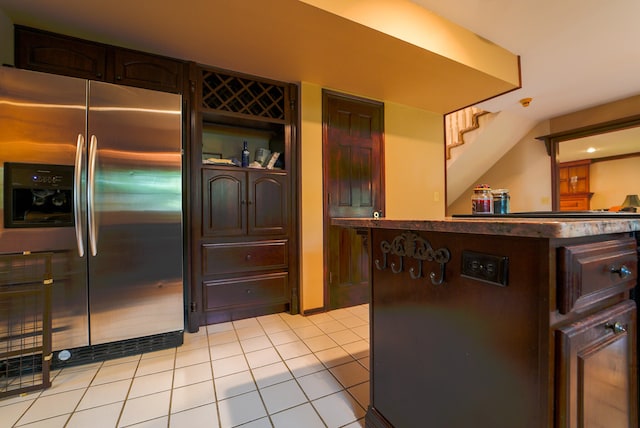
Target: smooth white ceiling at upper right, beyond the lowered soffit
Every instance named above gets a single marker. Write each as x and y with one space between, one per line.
574 54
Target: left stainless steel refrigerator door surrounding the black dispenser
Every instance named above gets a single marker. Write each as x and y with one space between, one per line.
41 116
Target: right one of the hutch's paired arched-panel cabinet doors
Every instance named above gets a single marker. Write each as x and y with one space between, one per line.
268 208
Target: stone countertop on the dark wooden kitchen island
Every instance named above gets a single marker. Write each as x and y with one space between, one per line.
535 226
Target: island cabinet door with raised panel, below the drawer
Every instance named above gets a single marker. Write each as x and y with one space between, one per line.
596 380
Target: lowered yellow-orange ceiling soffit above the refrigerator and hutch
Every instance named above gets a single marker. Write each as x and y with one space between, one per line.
296 41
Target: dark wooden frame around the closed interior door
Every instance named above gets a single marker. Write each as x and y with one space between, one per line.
328 94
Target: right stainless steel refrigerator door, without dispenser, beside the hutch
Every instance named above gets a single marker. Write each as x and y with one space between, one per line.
136 282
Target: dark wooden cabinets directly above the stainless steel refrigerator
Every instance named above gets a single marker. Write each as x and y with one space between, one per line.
59 54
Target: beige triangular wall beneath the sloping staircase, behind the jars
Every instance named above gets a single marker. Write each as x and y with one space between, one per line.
525 170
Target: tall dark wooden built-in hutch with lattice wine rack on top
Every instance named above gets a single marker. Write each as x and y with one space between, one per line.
244 227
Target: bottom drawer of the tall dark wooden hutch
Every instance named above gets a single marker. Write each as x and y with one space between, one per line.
246 291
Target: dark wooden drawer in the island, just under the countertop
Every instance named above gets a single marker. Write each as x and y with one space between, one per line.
589 273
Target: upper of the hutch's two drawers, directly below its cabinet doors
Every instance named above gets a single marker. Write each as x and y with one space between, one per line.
244 256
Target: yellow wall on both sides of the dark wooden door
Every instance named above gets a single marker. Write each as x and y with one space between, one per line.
414 178
